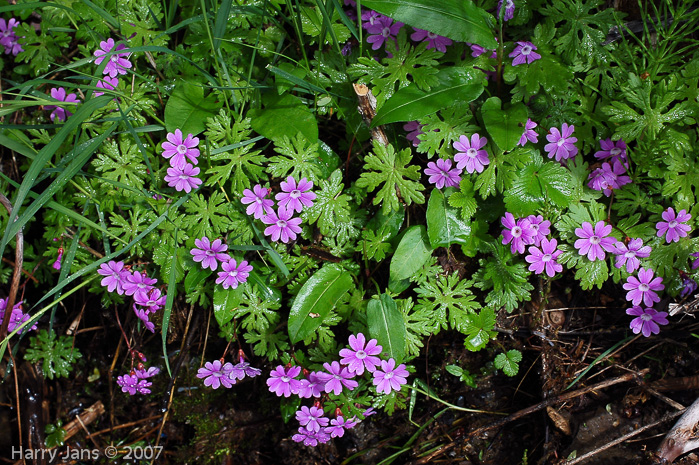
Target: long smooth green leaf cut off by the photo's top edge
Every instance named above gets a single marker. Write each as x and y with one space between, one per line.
459 20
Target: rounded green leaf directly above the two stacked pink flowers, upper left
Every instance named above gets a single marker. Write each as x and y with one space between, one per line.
187 109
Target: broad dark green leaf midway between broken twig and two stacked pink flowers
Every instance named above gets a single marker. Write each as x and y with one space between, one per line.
283 116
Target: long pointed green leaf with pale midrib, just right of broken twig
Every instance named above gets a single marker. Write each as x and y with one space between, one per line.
456 85
